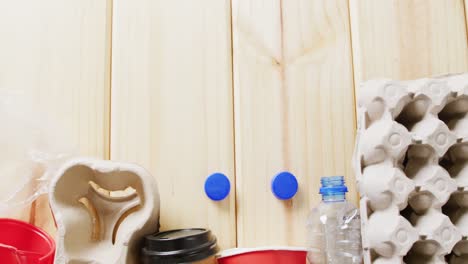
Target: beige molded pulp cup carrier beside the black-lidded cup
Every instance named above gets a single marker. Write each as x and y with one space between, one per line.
103 209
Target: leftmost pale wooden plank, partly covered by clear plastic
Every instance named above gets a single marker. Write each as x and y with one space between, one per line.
58 53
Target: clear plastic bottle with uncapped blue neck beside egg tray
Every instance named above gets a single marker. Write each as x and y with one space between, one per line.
334 226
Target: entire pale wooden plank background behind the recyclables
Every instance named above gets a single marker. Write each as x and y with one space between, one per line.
248 88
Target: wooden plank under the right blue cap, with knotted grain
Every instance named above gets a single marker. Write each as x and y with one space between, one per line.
294 108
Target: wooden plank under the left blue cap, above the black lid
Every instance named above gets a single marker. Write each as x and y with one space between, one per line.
172 104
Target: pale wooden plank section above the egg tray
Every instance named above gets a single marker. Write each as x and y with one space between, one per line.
408 39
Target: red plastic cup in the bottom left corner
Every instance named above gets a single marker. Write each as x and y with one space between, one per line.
23 243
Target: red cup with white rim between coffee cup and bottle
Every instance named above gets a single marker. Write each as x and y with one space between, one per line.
270 255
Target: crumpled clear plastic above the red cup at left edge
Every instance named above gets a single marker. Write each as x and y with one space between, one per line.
31 149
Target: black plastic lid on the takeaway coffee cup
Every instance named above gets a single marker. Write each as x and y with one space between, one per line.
179 246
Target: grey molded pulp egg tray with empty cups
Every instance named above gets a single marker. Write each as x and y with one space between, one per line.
411 166
